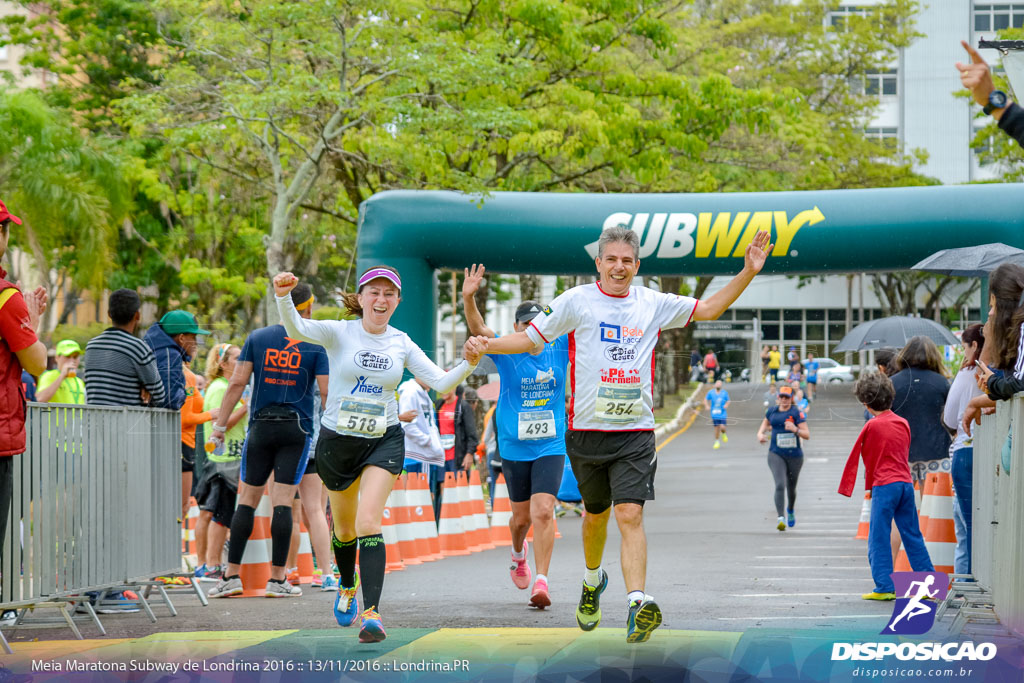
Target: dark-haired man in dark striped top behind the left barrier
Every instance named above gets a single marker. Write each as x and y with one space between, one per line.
120 369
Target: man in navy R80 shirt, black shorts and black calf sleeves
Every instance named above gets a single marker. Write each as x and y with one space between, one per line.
286 374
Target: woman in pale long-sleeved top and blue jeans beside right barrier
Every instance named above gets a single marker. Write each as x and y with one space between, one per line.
962 392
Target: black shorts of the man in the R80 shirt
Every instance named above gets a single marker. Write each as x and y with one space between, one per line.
276 444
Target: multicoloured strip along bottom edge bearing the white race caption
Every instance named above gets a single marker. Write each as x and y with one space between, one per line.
494 655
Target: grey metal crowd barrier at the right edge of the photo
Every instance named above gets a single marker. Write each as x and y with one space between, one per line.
998 527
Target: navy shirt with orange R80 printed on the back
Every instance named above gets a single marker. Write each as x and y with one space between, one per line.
285 372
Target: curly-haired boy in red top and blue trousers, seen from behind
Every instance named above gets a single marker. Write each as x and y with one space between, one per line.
885 445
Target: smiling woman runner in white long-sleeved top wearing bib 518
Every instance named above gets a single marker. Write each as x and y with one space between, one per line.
361 450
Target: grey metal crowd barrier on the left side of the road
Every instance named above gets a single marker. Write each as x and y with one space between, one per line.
97 498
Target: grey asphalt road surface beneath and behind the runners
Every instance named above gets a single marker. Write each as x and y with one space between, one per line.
716 561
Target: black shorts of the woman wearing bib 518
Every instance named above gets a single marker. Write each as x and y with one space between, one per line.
342 459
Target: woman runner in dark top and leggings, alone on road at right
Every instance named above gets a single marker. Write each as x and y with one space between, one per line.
788 426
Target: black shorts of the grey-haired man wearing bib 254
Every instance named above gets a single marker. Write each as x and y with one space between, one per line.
613 467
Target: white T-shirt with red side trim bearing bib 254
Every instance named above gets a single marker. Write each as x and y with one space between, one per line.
612 349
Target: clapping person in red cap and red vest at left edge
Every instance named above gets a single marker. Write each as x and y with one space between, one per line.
21 352
